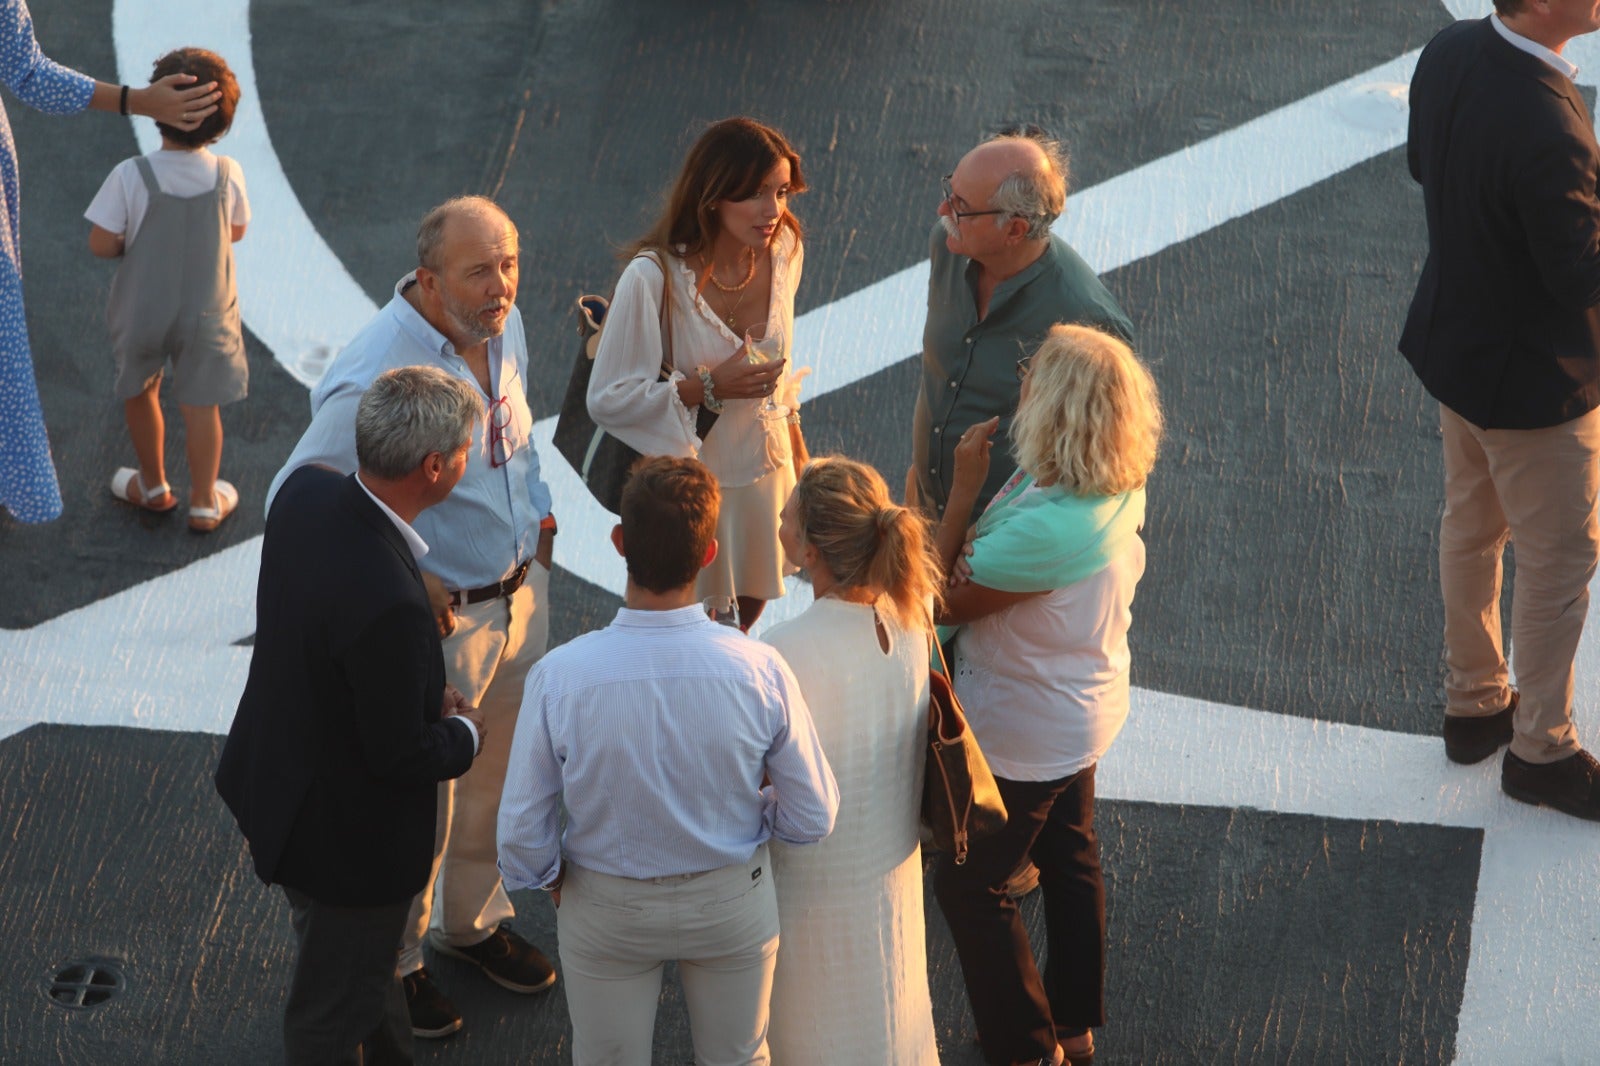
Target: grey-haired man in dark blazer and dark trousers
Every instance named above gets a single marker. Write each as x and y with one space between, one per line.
346 724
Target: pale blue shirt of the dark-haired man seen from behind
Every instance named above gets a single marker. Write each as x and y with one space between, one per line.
655 734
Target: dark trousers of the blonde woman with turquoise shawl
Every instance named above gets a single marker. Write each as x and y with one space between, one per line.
1020 1014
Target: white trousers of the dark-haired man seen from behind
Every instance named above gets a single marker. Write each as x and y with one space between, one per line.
617 934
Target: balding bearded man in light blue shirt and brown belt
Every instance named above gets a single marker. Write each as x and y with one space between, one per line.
487 572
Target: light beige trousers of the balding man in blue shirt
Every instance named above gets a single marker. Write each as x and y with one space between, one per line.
487 659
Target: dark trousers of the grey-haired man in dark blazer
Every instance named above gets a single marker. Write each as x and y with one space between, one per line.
346 1006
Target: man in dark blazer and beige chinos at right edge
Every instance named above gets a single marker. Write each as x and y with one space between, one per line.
1505 332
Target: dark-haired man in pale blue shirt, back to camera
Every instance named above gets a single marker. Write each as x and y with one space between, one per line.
655 735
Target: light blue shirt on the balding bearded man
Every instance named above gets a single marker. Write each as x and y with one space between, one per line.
490 523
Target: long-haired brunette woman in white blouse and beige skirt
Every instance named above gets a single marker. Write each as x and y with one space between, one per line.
732 252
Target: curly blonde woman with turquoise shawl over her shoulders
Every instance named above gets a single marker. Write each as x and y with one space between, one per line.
1042 670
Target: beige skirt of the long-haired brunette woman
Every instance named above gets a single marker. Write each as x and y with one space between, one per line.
750 559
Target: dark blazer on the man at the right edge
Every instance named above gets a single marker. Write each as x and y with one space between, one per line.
1505 327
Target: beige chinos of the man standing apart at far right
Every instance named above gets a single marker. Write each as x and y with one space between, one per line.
1537 489
